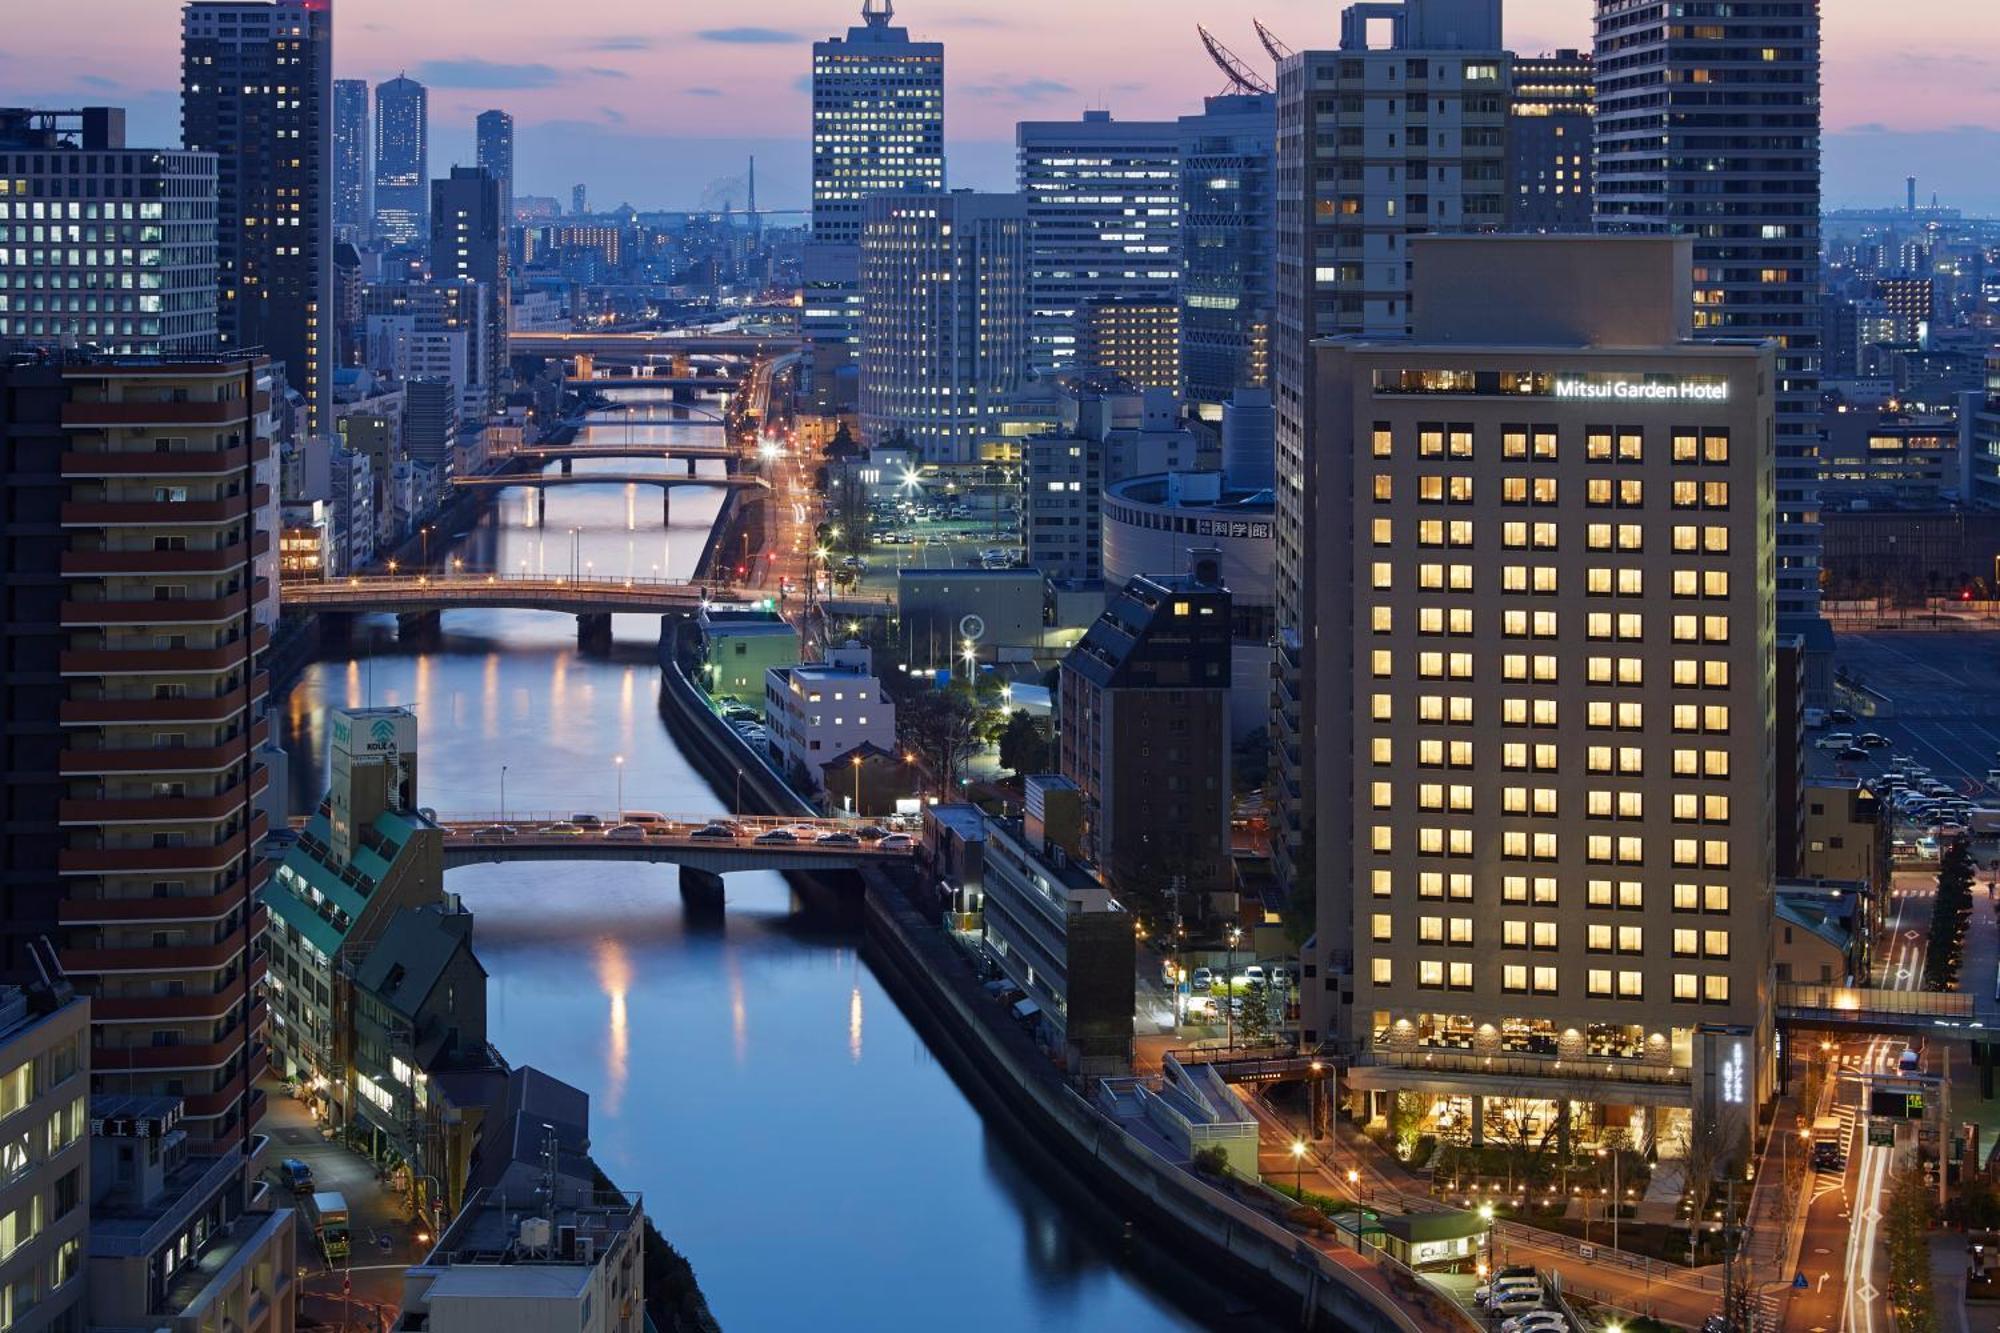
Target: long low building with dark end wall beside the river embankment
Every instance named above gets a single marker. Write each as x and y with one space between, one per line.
1059 934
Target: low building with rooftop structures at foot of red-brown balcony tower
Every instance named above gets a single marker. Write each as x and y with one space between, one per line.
175 1244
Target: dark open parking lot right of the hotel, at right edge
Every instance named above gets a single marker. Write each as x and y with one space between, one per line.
1939 704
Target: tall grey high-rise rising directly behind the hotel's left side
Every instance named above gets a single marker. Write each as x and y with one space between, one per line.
1349 117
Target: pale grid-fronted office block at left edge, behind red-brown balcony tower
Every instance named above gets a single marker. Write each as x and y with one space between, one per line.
153 287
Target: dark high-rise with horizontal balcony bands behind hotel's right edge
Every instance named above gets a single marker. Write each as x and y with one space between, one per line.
1713 131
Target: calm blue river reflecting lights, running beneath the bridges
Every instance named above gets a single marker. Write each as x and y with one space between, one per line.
787 1126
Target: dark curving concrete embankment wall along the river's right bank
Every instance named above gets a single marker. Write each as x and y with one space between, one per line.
1011 1080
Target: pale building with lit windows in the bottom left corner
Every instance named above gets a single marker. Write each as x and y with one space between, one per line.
45 1068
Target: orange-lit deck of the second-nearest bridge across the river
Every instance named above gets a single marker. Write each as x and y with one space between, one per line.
421 595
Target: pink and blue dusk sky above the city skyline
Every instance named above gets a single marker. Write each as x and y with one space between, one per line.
657 103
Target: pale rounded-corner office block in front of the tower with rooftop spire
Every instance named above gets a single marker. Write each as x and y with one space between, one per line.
945 331
